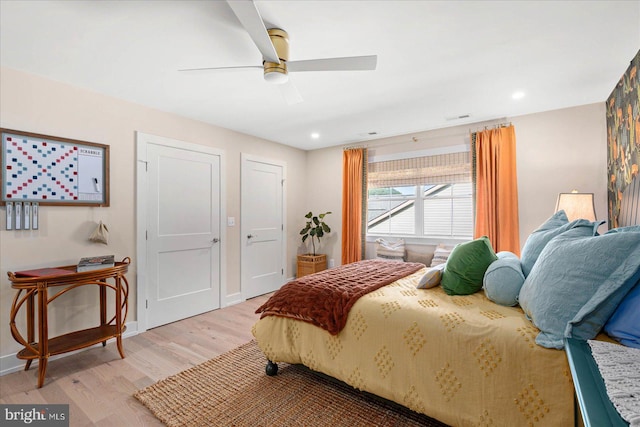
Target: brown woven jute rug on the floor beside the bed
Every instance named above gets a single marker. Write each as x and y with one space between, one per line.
233 390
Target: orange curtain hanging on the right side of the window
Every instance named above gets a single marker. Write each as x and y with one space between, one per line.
497 189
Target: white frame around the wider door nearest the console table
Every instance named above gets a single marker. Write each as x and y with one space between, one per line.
142 141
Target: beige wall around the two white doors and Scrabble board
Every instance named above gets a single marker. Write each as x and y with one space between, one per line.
32 104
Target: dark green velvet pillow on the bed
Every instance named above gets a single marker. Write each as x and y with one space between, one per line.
466 266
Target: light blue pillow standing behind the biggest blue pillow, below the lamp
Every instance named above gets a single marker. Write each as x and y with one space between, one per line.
551 228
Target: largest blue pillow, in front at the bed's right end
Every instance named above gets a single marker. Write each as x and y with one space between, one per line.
577 283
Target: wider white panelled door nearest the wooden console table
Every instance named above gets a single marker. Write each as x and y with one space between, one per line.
183 250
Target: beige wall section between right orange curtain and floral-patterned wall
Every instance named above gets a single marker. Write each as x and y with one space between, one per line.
559 151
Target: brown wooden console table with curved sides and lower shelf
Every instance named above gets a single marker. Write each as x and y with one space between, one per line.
28 287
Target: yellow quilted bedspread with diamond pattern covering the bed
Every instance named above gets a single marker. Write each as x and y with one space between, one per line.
460 359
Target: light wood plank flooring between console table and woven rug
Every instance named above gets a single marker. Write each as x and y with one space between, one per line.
98 385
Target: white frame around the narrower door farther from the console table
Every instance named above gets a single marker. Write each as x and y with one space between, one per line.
243 256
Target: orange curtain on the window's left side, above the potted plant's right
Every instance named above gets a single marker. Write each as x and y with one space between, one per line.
353 190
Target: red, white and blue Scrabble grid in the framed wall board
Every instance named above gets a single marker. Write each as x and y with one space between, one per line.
40 170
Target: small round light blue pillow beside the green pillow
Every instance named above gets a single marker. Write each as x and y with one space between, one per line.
503 280
